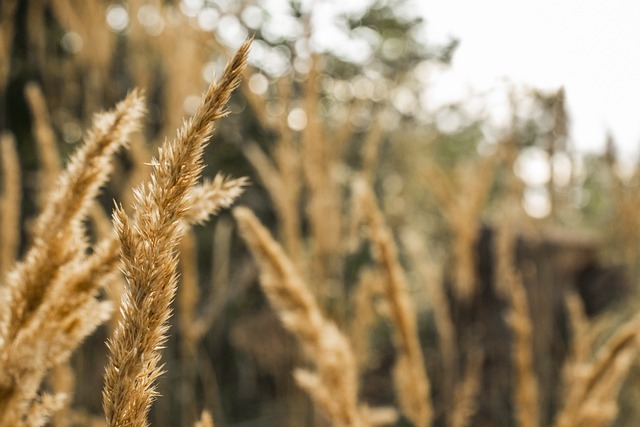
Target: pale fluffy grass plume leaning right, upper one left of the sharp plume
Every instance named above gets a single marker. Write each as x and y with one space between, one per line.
58 230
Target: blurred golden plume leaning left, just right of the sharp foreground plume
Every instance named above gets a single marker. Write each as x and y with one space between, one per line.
334 384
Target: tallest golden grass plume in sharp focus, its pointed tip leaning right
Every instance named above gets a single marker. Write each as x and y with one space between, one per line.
148 244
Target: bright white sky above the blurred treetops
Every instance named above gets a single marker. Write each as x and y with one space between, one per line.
591 47
